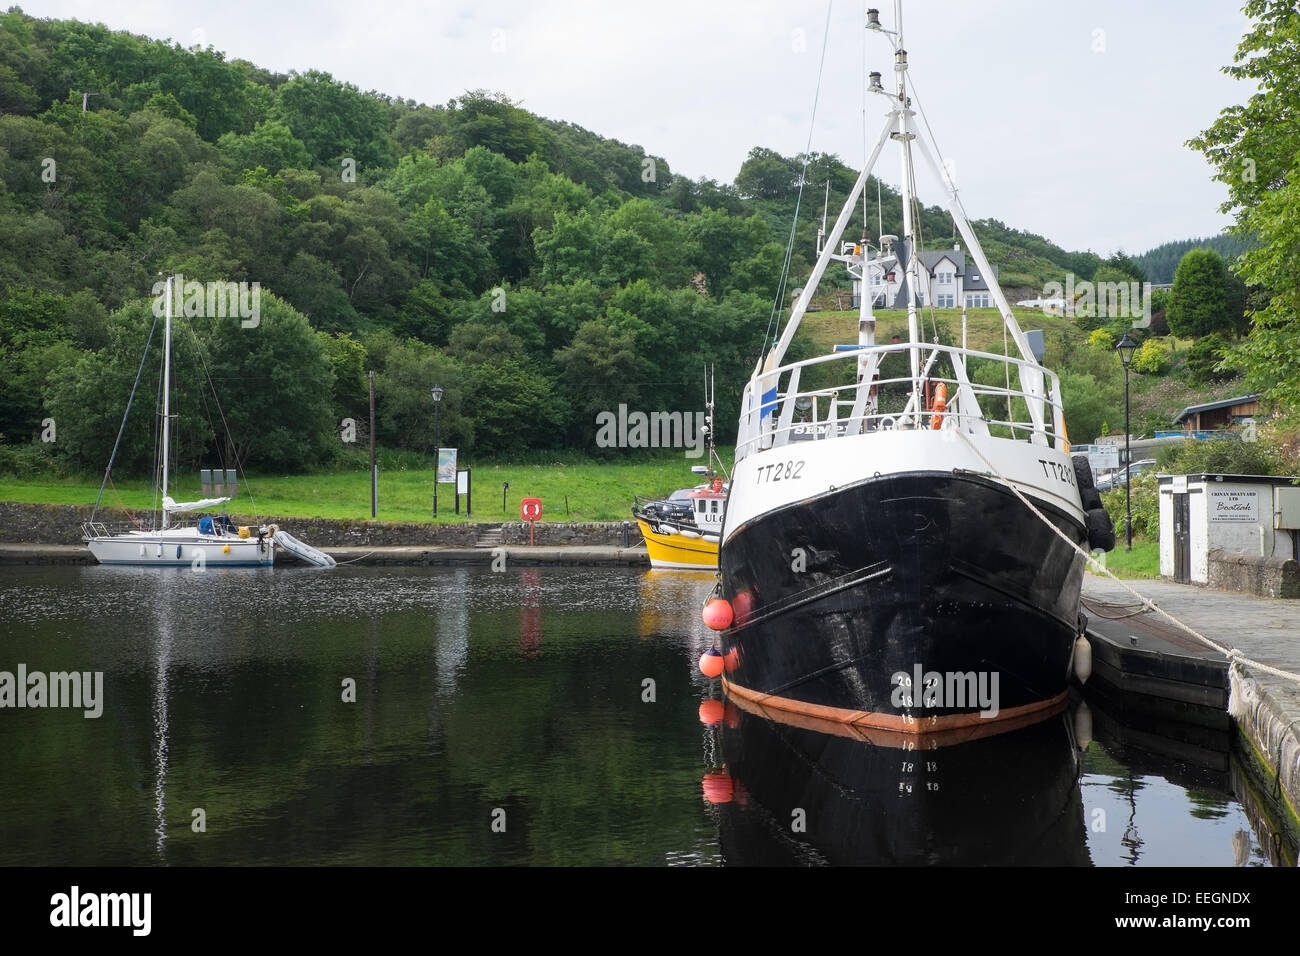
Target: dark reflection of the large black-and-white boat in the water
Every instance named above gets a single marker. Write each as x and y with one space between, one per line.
827 794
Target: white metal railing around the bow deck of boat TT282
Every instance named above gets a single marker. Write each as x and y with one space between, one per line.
881 405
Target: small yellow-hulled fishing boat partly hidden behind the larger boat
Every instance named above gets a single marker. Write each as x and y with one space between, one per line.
682 531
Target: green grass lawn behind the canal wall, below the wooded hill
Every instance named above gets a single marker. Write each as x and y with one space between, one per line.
596 492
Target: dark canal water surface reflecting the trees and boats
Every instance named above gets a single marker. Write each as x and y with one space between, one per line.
535 716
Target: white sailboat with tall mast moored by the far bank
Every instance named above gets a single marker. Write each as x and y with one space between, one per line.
214 540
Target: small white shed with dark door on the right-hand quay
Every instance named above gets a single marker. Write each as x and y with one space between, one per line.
1255 517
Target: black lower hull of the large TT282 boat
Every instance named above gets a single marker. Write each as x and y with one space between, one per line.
952 574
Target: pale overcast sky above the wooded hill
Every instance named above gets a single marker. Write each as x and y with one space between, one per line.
1063 118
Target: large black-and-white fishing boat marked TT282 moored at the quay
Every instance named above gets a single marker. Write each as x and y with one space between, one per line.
925 551
